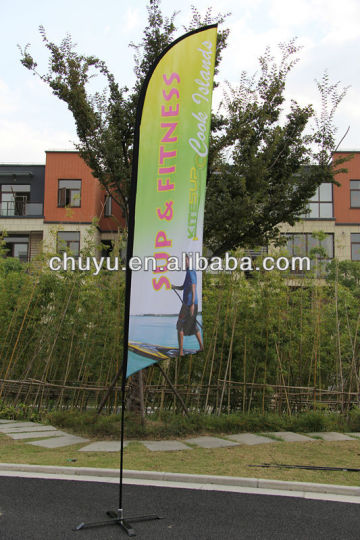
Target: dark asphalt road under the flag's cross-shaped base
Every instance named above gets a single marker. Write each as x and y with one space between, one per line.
37 509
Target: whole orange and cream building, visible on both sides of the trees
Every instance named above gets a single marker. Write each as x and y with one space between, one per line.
54 205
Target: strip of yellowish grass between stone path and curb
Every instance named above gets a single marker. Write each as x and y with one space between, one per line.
233 461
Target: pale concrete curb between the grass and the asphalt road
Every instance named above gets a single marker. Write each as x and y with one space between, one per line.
232 481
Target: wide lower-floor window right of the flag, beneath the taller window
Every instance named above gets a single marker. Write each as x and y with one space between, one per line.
306 245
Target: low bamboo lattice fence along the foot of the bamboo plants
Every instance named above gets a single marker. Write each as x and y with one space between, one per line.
240 397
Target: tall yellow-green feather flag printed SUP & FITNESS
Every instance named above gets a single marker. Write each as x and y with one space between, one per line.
168 195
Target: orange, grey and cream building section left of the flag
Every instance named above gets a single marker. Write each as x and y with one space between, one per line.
53 206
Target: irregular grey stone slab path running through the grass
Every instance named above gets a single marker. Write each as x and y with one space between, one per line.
49 437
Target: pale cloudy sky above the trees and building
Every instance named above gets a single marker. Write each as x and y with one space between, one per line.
33 120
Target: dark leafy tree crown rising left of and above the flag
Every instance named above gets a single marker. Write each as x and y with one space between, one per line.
105 120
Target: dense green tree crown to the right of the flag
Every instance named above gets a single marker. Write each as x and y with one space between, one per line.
268 168
